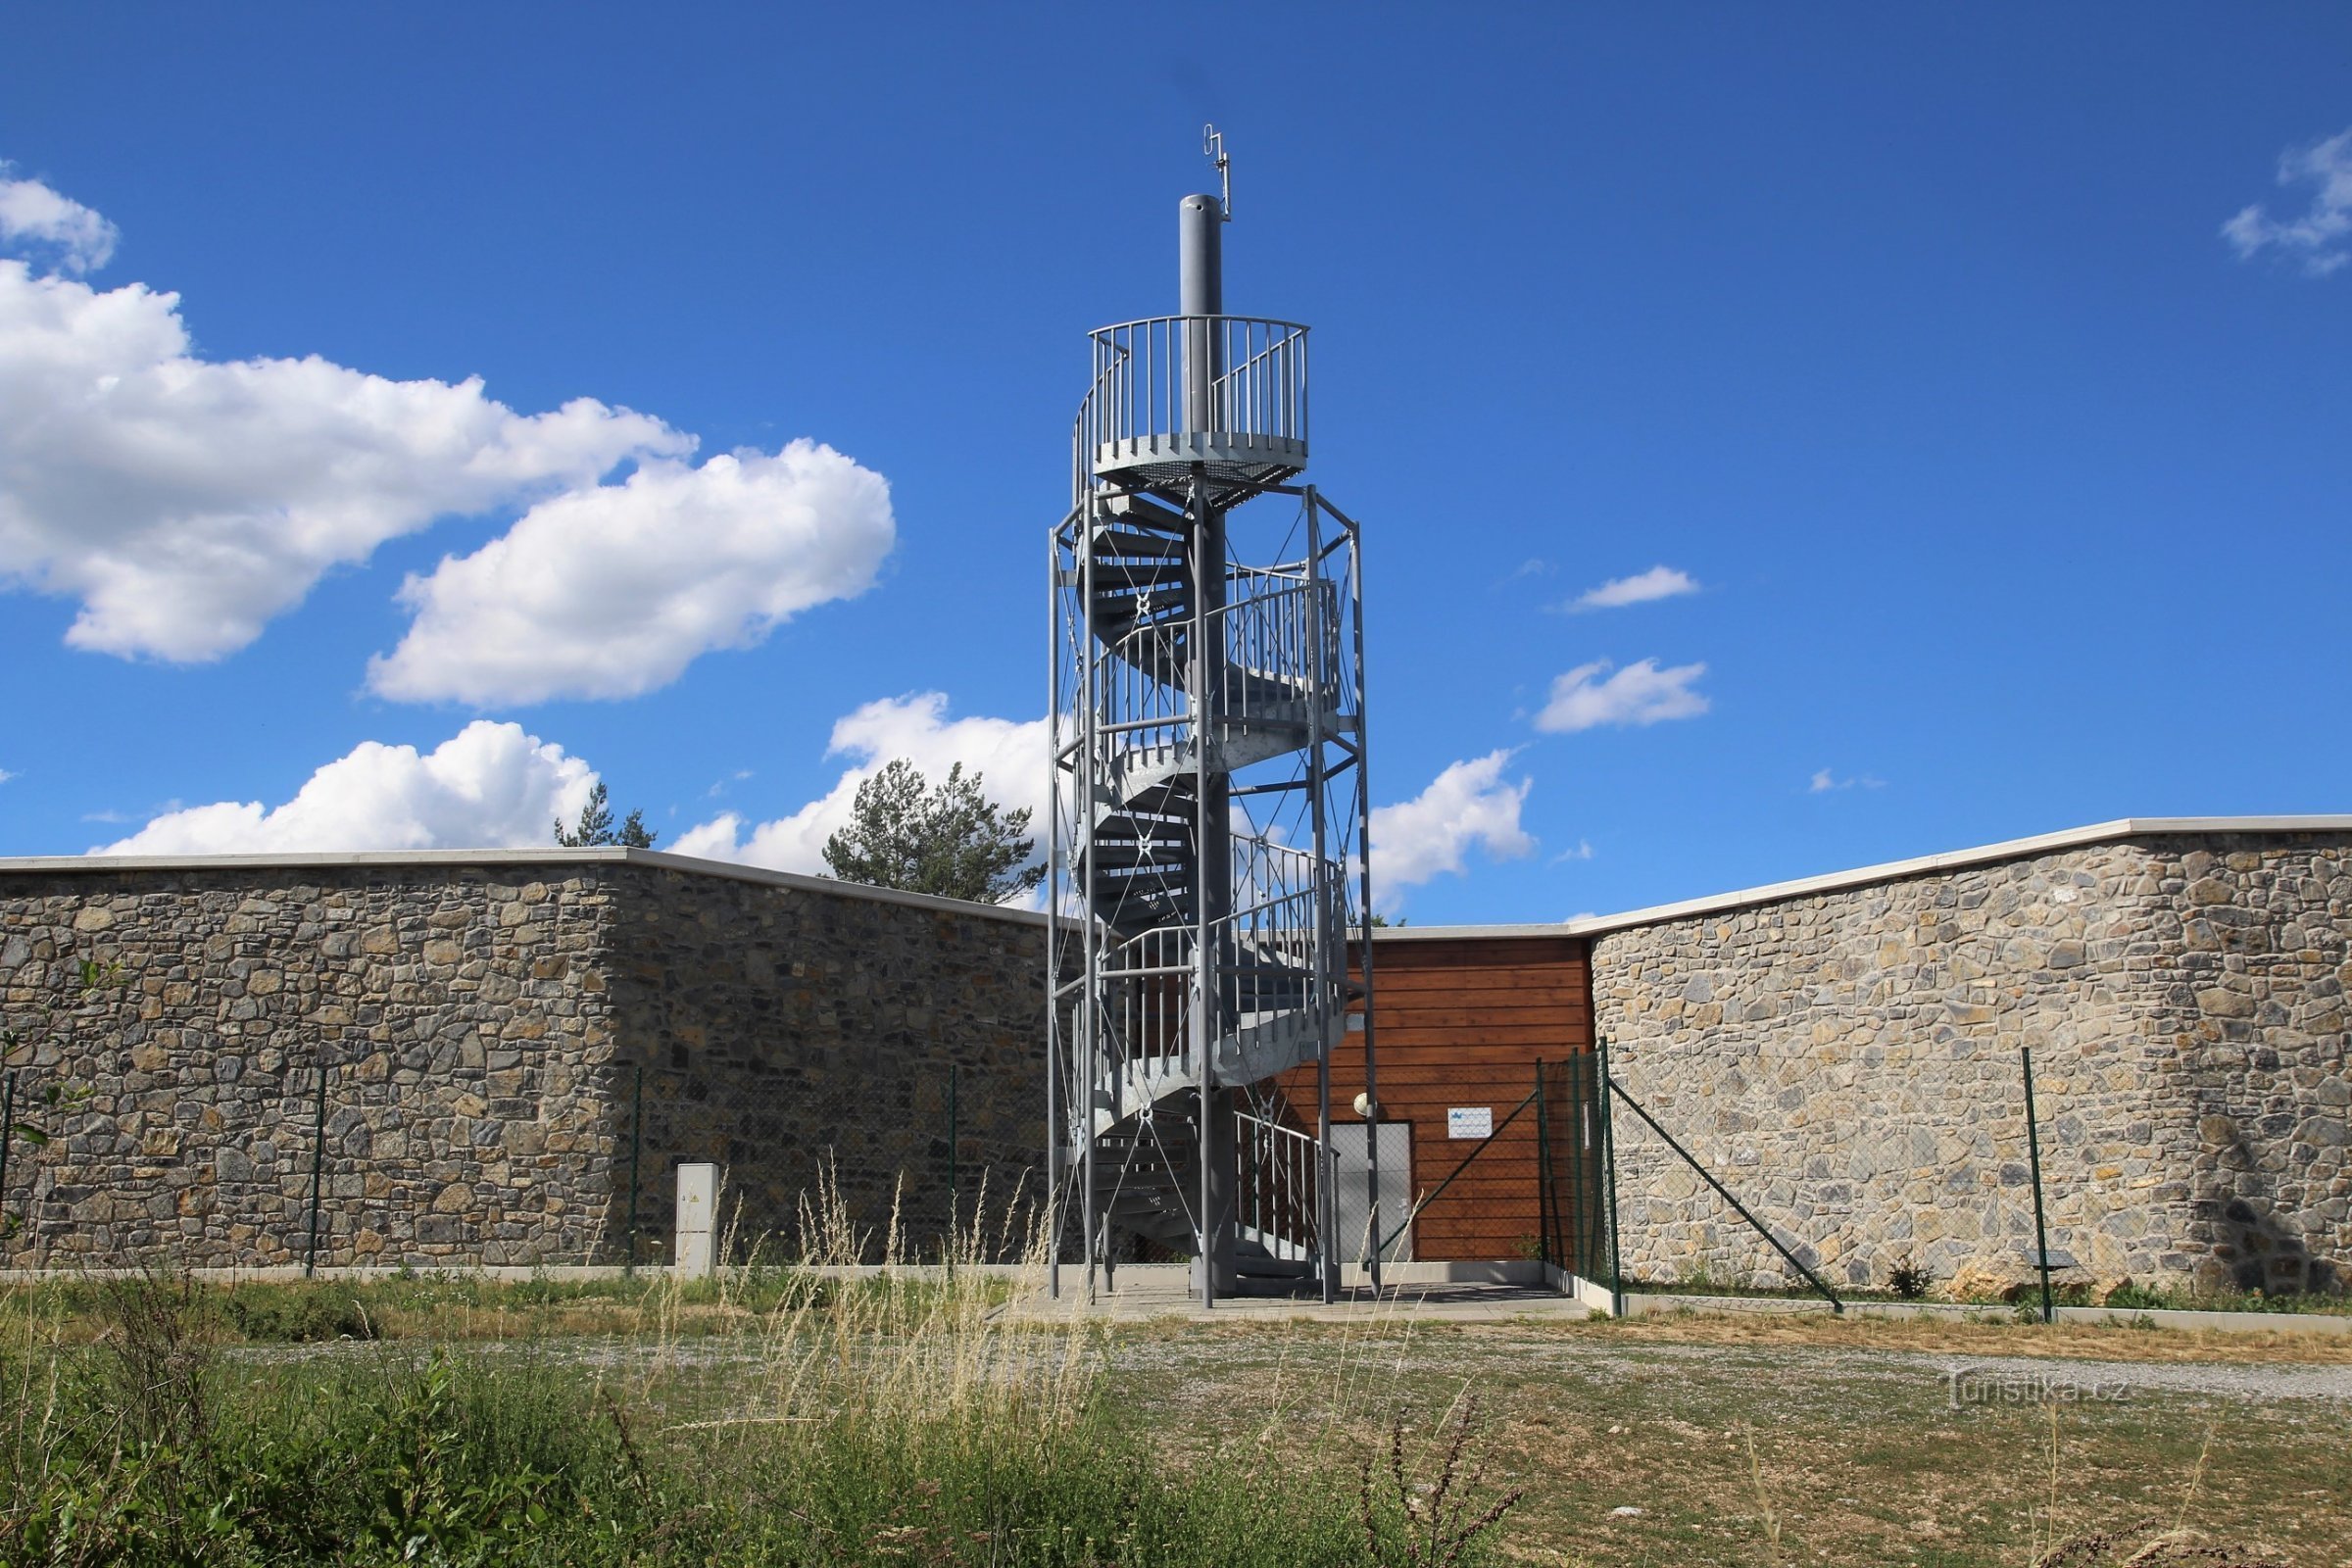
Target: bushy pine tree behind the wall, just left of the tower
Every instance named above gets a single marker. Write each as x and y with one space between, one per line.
918 840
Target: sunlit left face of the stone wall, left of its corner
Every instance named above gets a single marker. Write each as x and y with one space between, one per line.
469 1068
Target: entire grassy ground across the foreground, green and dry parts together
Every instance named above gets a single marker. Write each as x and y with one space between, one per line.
916 1423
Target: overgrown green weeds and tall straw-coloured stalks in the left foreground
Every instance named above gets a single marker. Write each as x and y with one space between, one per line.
897 1419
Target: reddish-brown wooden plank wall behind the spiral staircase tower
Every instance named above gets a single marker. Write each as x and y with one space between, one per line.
1464 1024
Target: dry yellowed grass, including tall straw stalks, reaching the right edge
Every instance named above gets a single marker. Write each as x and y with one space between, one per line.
1742 1440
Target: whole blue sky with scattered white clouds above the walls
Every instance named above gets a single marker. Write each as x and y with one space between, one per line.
2000 445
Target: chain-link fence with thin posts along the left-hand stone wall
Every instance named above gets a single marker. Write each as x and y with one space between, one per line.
361 1162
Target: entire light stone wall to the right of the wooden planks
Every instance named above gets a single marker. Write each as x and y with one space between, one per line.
1850 1066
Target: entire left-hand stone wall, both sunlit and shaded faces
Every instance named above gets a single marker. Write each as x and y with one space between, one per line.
486 1028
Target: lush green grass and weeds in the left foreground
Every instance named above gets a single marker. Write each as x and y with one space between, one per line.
481 1459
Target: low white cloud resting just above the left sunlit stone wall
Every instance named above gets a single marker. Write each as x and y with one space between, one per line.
490 786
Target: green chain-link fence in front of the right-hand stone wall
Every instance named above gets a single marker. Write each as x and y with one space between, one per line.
1998 1179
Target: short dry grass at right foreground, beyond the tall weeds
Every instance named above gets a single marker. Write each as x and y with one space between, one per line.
1742 1447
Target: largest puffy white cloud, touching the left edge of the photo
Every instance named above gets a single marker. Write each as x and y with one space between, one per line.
189 502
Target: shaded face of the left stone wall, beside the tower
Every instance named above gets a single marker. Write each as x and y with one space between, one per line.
813 1043
